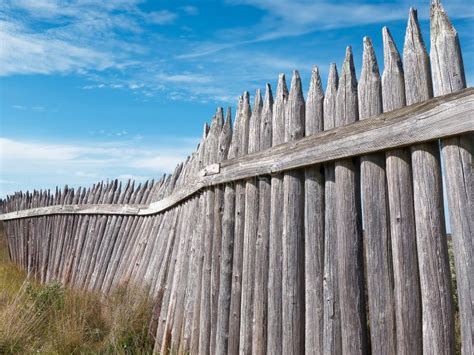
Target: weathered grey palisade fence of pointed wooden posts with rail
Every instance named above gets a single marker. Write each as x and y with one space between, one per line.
309 226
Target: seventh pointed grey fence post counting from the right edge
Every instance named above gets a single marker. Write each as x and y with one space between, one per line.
314 226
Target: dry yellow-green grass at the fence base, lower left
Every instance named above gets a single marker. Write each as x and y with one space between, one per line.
51 319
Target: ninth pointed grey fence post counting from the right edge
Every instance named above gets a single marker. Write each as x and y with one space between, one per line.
274 332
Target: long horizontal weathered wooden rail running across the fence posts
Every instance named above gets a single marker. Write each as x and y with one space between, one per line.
444 116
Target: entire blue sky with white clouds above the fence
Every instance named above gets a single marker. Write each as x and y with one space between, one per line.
91 90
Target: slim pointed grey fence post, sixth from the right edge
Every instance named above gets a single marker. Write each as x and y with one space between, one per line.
332 314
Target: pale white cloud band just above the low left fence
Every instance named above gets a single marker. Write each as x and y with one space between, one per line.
83 164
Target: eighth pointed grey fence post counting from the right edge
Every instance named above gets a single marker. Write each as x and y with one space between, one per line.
293 231
